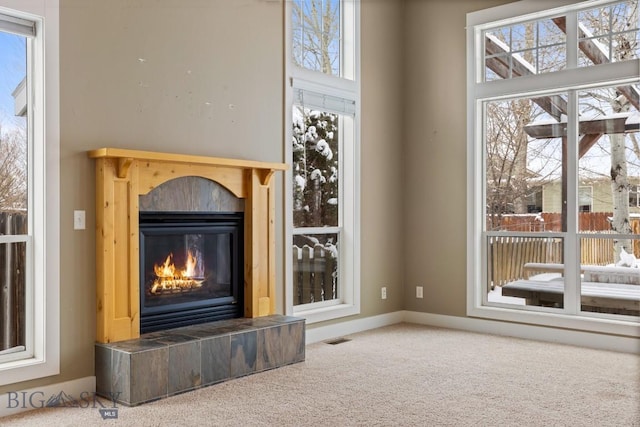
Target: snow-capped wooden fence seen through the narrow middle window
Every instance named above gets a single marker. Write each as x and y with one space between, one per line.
315 272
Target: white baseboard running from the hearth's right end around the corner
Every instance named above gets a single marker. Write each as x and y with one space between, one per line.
493 327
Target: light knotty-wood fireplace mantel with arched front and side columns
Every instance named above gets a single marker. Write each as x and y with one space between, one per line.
121 177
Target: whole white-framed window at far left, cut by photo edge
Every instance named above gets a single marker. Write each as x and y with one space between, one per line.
29 346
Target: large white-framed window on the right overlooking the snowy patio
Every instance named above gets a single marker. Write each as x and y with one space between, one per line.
553 98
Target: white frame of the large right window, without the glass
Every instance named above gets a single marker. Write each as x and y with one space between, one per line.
571 80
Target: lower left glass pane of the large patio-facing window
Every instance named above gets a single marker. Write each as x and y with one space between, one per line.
525 190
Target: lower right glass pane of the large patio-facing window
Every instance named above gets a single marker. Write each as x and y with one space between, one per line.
609 161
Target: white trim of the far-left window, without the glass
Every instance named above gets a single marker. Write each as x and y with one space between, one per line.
44 310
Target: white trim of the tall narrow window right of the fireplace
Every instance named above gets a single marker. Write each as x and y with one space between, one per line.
348 303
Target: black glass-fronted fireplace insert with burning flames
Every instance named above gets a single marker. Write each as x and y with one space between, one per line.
190 268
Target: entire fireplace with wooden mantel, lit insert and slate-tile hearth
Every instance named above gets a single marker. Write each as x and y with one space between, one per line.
181 240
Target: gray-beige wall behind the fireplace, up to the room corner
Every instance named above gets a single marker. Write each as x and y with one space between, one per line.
204 77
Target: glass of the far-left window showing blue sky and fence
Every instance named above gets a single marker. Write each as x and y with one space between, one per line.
13 192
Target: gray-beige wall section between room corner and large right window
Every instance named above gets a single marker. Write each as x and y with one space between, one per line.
435 153
